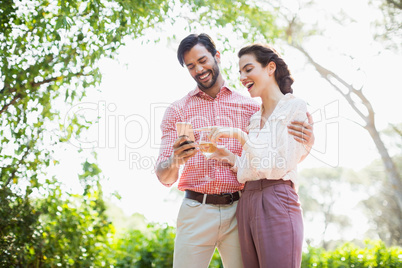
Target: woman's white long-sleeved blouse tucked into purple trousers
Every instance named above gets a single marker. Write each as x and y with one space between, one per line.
272 152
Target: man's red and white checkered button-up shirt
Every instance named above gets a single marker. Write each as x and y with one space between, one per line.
229 109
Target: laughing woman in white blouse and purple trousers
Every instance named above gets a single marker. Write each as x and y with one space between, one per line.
269 214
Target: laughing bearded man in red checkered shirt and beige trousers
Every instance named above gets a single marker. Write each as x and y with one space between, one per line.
207 218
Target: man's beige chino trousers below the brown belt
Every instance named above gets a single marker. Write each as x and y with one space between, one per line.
200 229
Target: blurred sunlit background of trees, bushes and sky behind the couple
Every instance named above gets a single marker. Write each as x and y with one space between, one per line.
84 86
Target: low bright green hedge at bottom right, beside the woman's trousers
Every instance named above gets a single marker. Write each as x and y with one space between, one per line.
374 254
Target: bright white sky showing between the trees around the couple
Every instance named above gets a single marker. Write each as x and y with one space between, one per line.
136 91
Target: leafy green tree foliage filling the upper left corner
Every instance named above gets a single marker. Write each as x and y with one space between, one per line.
48 48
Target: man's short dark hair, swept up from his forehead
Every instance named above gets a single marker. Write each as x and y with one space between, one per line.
193 39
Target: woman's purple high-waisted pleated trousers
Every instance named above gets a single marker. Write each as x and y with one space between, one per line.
270 225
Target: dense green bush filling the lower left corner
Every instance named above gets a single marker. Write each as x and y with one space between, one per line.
59 228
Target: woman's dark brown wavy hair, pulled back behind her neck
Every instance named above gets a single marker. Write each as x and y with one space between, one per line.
264 54
